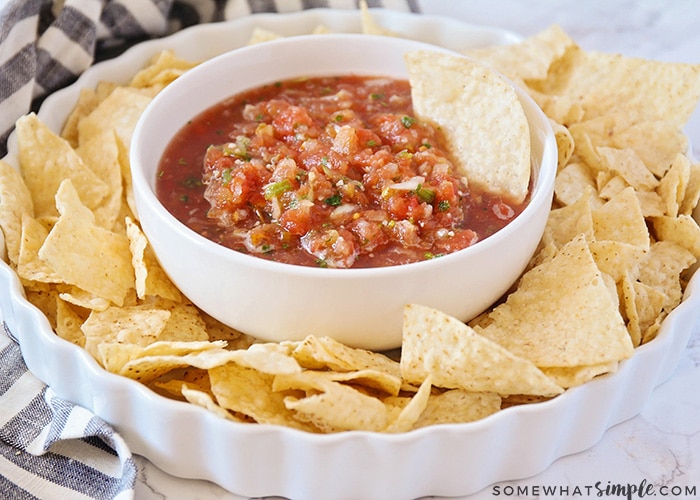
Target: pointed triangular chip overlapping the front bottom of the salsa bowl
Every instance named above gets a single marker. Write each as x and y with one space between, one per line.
454 356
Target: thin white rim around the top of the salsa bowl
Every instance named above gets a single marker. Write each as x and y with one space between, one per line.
541 179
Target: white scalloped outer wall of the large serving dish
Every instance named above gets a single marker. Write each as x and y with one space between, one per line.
264 460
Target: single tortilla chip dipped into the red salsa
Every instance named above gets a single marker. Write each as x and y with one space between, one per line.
480 115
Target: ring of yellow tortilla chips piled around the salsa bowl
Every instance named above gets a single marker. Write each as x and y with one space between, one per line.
611 266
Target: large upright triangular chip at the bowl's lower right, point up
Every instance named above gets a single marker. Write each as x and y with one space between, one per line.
562 314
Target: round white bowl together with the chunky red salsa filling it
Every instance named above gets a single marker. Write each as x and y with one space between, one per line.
345 197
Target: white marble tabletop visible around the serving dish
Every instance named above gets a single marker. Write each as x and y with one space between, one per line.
661 446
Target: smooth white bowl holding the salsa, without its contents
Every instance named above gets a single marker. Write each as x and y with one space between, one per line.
275 301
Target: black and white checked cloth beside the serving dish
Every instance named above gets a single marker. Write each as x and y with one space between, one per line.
50 448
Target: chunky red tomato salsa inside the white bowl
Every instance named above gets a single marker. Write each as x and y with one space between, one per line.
330 172
